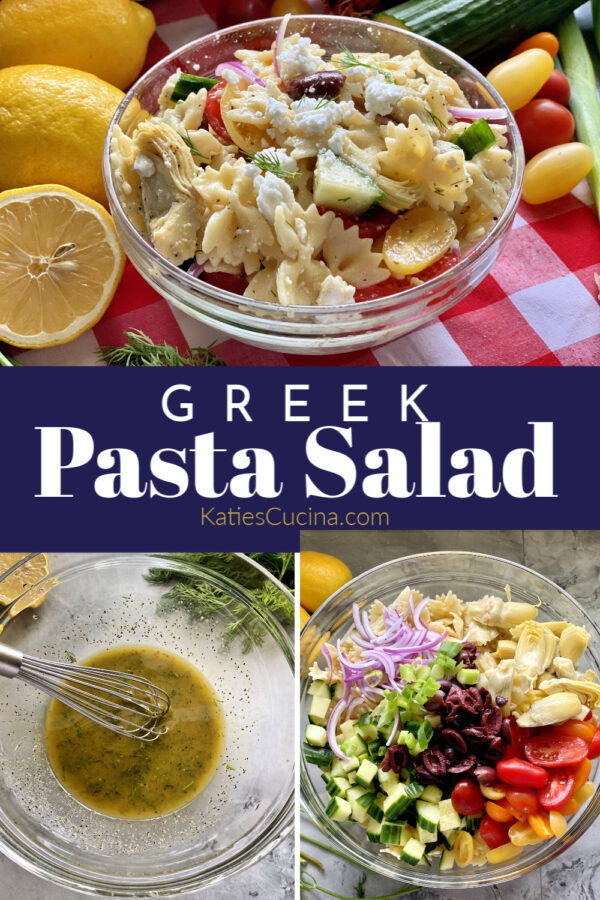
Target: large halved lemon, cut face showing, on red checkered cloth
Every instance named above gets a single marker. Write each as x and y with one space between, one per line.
60 264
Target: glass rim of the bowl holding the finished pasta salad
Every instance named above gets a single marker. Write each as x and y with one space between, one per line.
406 297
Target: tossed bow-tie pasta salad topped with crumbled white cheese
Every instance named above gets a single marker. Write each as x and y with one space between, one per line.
313 181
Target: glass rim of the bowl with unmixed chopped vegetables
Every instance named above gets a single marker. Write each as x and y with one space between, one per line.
481 876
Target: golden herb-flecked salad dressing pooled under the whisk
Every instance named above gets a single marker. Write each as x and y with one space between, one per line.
131 779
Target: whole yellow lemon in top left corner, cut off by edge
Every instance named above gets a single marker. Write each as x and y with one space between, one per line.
108 38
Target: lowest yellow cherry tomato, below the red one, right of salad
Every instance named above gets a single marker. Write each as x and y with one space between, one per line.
554 172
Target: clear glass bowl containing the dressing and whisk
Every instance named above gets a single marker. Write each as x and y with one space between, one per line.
96 602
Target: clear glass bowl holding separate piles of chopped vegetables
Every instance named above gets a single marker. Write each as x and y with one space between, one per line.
470 576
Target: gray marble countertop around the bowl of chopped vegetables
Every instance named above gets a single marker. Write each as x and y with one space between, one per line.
572 560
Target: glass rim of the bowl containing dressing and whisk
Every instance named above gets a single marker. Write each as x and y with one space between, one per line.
44 864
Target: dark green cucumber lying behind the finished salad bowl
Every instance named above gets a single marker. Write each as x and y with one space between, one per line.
478 29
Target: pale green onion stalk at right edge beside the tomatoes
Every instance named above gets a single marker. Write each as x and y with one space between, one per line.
579 69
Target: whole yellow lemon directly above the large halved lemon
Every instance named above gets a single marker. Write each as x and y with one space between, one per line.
52 127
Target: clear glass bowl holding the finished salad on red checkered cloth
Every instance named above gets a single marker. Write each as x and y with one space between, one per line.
302 329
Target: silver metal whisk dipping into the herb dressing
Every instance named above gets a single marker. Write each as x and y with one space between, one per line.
124 703
